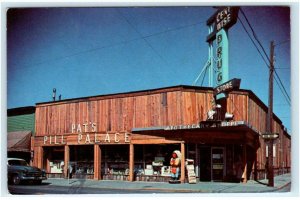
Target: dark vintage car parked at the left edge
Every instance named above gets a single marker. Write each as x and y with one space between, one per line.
18 170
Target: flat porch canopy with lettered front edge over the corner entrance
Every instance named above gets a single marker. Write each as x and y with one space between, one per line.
238 132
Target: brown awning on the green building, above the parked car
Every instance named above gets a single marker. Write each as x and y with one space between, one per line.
19 141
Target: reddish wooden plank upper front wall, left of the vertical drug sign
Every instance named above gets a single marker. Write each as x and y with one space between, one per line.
123 114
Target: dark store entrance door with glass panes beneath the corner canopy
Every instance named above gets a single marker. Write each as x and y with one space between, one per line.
218 163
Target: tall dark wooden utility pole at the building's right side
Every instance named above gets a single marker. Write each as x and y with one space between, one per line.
270 119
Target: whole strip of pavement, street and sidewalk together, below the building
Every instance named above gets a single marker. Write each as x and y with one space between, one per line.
83 186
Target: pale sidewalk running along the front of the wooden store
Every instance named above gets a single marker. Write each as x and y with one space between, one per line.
203 187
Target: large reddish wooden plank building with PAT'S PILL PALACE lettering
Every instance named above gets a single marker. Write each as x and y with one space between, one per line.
131 136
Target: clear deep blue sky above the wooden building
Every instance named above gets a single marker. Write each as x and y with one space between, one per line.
93 51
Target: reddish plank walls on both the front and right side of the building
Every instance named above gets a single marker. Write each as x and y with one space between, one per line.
176 107
